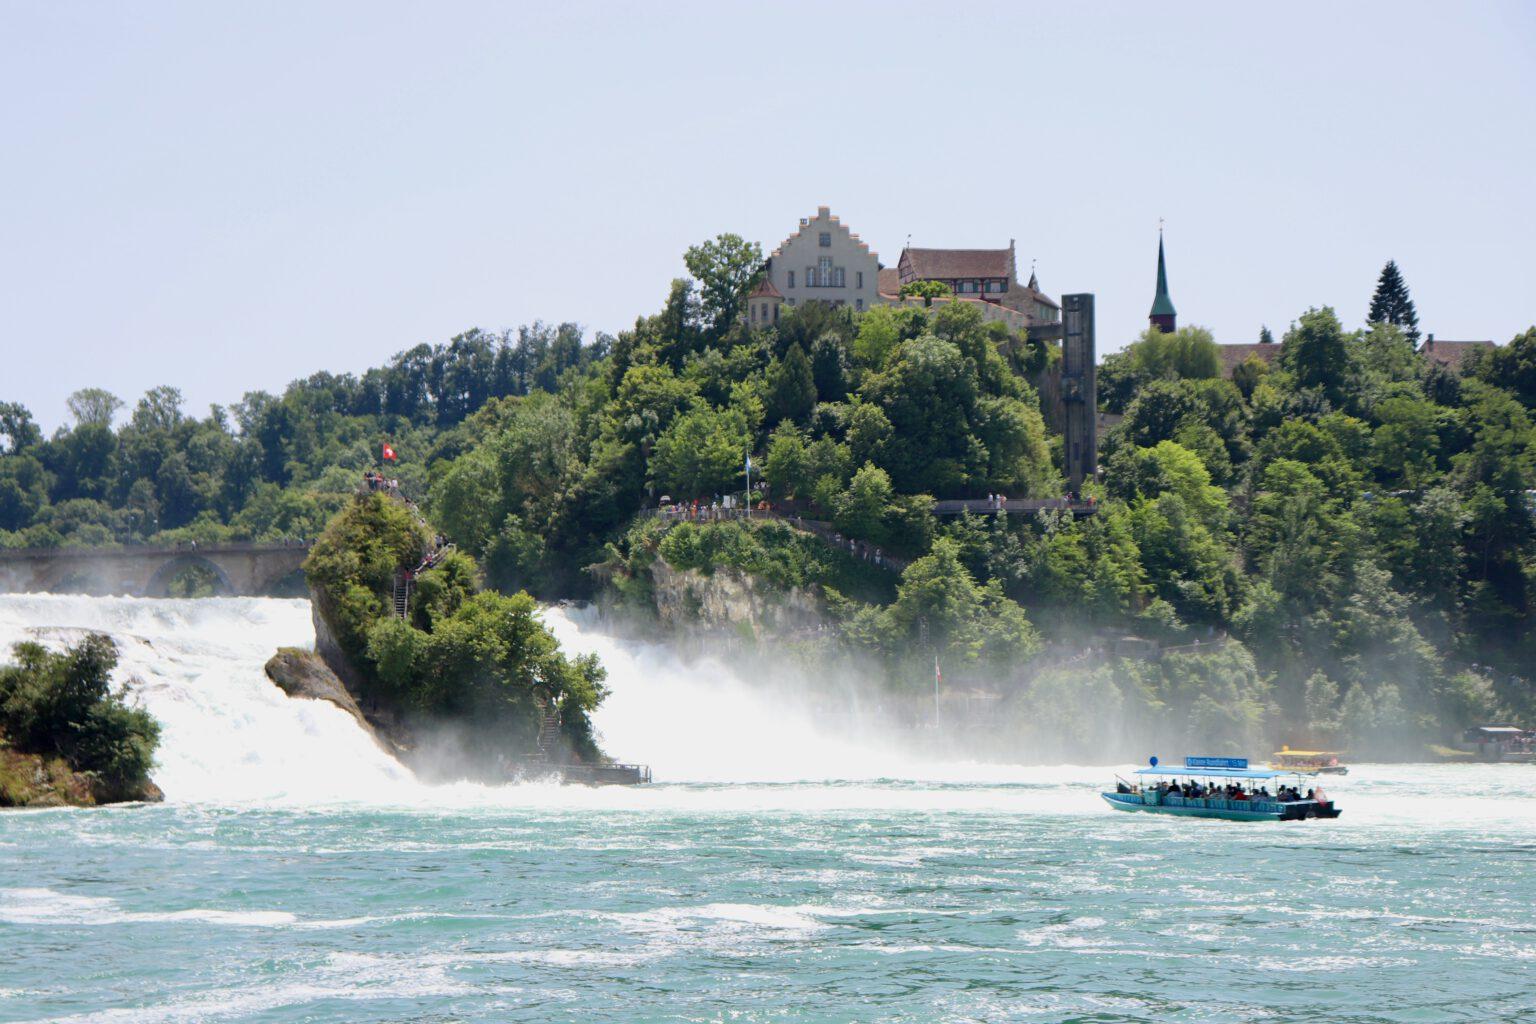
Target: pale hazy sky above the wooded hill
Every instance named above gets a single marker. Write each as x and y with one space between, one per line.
227 197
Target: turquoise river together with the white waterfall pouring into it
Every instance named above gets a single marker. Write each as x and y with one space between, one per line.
297 874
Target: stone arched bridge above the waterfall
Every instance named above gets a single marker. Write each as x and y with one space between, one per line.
239 569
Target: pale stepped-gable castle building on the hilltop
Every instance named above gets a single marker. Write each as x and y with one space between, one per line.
821 263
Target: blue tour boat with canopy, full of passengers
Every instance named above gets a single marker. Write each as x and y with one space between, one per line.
1222 788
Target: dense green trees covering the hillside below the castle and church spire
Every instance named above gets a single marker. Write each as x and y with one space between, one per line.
1351 524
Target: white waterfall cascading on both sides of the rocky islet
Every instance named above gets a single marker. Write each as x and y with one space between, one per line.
231 736
